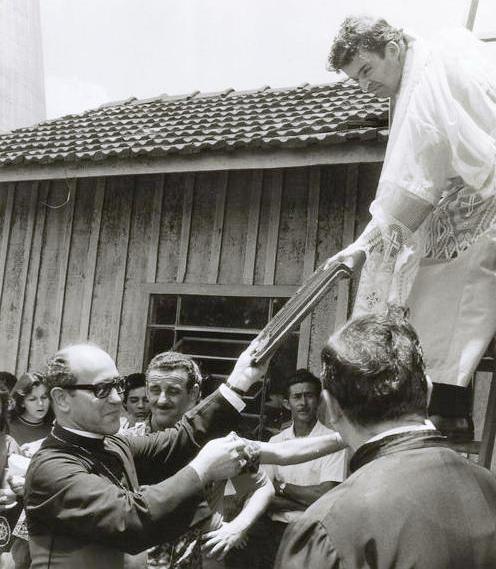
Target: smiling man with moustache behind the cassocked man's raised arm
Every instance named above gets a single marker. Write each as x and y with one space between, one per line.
173 387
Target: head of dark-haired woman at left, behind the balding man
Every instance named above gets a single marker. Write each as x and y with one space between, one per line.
31 417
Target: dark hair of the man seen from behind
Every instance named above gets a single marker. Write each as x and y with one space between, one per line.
373 367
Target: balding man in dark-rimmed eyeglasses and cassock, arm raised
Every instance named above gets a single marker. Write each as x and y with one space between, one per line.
84 506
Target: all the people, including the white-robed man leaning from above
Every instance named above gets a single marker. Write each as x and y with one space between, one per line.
141 471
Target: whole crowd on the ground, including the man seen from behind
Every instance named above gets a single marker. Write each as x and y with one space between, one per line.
101 493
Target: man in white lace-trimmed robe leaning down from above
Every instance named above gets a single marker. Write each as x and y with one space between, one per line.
431 243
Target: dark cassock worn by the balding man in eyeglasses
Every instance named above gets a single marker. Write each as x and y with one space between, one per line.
84 506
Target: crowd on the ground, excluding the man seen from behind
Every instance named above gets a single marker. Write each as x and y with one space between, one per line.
137 407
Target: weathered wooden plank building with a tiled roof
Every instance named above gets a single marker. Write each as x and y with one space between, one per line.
182 221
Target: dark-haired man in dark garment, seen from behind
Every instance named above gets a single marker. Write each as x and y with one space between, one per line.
410 501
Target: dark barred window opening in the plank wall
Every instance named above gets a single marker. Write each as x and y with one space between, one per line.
214 330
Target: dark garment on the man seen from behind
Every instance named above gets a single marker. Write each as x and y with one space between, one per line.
411 502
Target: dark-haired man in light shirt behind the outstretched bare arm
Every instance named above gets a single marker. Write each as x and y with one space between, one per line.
297 486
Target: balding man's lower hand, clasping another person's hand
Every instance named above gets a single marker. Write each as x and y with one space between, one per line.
220 459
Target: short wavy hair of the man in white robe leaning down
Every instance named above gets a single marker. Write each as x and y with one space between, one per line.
361 32
